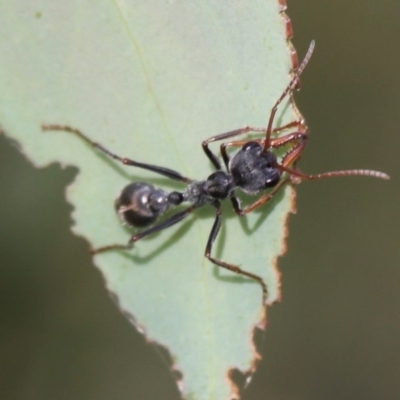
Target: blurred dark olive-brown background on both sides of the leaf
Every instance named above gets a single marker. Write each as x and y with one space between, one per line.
335 335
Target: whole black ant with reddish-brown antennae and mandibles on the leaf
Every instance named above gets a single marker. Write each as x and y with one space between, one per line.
253 169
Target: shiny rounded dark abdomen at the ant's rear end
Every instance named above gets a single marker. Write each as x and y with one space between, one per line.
140 204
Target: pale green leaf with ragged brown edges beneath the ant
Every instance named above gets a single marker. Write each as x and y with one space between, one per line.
150 80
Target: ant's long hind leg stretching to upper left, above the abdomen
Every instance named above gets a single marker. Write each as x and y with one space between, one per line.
169 173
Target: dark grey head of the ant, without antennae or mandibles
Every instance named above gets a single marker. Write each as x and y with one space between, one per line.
253 169
